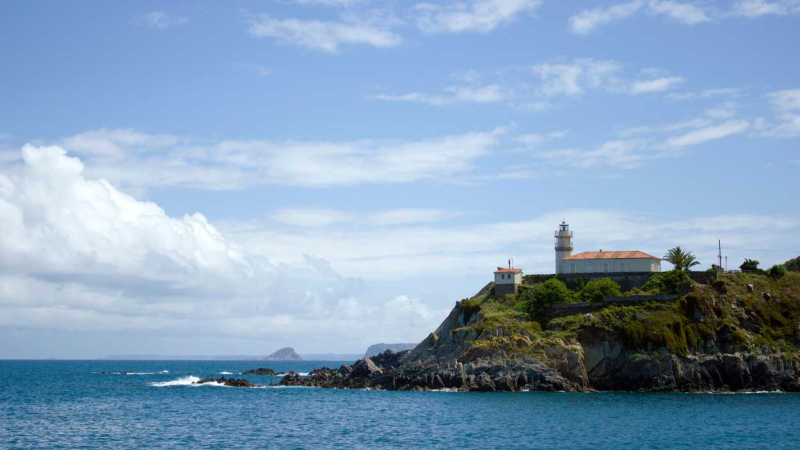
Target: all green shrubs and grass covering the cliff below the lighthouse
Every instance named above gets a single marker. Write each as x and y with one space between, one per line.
739 313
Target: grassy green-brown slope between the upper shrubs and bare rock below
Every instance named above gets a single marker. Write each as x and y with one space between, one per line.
737 319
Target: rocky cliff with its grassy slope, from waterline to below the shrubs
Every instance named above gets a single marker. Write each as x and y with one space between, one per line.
739 334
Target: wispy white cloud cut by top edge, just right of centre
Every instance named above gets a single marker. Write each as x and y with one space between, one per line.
471 15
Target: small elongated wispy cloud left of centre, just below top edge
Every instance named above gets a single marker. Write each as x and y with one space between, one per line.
321 35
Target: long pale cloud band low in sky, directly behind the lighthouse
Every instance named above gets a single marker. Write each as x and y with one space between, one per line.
472 250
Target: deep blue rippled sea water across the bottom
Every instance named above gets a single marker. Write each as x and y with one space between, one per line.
71 404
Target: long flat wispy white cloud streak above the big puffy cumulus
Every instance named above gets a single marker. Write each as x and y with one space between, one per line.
136 160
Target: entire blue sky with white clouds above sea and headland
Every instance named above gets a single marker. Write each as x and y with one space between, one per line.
199 178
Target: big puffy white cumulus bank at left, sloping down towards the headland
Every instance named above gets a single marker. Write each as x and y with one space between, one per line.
78 254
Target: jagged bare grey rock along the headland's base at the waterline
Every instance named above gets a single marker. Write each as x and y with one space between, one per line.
464 354
